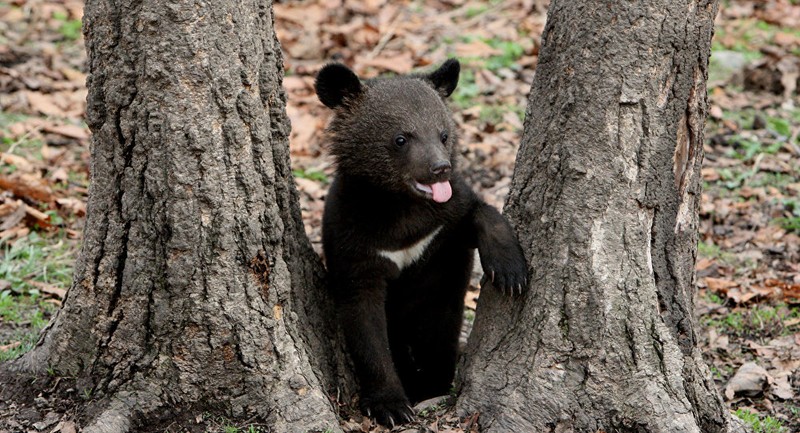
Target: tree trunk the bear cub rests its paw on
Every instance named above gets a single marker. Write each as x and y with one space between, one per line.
605 201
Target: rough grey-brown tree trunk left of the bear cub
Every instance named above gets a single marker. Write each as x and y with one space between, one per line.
196 288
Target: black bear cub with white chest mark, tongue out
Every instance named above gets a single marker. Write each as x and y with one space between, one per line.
399 232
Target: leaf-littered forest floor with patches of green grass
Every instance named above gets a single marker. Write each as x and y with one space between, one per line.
748 267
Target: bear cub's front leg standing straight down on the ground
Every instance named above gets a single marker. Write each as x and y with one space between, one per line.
362 313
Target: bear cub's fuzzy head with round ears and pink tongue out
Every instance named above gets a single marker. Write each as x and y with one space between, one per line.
396 132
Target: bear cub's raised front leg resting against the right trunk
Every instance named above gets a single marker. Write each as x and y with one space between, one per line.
501 255
